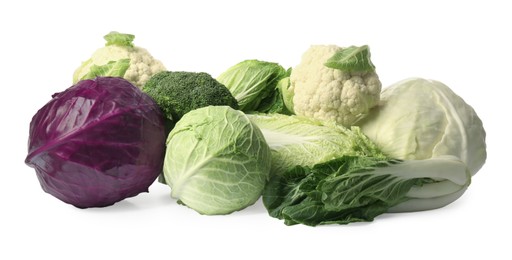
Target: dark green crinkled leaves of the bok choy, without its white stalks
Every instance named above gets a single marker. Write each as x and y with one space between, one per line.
344 190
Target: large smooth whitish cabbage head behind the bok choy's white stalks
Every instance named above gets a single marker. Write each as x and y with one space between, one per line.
420 119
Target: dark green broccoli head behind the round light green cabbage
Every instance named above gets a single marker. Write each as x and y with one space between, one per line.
178 92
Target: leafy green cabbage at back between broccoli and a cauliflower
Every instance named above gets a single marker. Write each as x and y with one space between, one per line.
253 81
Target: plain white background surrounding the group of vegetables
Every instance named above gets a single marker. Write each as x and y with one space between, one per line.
465 44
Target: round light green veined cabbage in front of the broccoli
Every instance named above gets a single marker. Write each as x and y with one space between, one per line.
216 160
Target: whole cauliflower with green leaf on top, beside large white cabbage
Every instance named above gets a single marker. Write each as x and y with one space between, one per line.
343 94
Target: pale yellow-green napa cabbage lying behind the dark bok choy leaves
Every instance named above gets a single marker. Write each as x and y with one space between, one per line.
301 141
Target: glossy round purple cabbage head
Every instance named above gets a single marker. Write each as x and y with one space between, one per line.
96 143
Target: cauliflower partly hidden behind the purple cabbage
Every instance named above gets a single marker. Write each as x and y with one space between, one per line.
119 47
